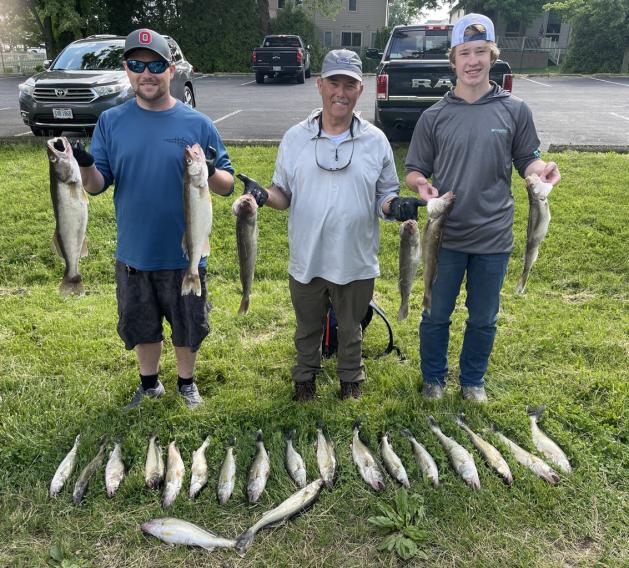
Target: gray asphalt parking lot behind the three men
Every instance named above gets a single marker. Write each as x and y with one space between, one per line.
583 110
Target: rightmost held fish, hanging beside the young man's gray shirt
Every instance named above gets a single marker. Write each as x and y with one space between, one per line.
539 220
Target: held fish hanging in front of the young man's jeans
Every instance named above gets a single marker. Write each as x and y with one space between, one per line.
438 210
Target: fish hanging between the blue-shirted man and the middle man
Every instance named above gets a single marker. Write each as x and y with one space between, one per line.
246 210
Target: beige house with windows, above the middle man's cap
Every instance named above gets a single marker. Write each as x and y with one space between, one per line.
354 27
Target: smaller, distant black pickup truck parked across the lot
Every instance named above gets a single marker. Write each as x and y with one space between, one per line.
281 55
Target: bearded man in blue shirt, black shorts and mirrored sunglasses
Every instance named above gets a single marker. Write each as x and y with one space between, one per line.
140 147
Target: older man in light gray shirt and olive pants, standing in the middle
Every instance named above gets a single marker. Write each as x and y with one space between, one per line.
336 174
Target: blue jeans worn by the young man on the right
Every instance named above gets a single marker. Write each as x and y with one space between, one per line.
485 275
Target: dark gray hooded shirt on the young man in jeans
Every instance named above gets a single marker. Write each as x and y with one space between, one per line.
468 148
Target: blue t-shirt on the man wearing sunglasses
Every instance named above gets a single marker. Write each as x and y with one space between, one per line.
142 151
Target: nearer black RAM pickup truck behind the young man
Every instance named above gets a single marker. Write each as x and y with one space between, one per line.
414 73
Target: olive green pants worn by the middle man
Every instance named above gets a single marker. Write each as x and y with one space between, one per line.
350 302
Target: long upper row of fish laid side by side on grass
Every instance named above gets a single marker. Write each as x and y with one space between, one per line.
171 475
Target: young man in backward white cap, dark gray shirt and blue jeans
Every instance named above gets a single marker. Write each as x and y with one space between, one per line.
467 142
